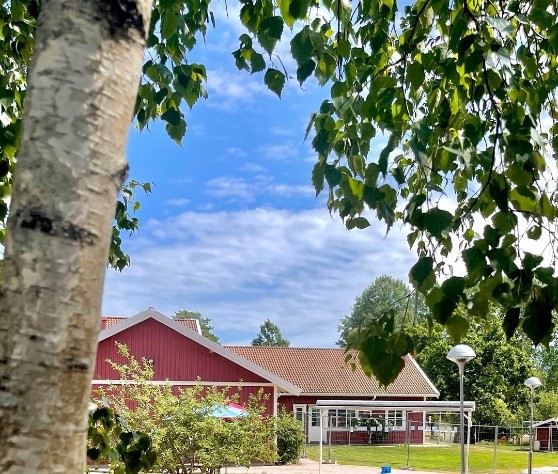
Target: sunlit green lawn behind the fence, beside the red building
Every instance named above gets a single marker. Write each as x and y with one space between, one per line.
509 459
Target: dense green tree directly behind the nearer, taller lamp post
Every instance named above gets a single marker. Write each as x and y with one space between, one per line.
494 378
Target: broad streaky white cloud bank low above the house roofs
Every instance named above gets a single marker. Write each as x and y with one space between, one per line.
302 270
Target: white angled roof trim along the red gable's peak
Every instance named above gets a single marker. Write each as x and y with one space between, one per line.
203 341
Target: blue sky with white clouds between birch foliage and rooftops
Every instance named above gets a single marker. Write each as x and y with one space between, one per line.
232 228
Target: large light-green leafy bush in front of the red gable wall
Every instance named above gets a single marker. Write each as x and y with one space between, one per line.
186 434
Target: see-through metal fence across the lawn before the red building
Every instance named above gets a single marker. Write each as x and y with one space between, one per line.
401 439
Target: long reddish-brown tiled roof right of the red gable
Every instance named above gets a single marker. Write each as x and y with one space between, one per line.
323 371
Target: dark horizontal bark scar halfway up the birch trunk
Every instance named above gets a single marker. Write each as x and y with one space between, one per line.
56 226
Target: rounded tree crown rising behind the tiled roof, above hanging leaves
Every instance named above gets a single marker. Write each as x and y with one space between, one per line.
385 295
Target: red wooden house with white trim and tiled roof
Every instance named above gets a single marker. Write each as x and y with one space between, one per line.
293 377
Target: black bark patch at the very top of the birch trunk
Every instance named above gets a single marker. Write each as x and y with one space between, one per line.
121 16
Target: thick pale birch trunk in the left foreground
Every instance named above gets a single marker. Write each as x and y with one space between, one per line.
82 87
